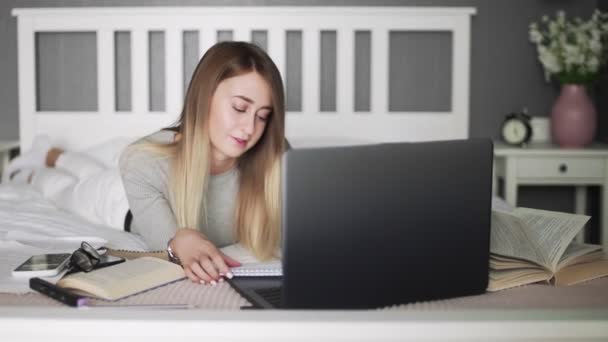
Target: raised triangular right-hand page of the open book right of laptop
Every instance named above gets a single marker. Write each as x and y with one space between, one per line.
551 231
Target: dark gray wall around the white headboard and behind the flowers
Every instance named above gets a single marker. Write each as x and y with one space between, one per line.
505 73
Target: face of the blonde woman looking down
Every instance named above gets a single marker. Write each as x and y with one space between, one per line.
240 107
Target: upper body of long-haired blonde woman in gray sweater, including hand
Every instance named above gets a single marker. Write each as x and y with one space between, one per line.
213 178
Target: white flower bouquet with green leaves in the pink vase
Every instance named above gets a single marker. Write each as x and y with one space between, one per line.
574 51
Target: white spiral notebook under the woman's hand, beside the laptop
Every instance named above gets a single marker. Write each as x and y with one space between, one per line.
250 266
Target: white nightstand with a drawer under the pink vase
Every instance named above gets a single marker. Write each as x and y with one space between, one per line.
547 164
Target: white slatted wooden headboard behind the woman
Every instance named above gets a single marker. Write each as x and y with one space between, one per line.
77 129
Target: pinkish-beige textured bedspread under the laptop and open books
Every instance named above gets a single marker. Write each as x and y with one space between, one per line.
591 295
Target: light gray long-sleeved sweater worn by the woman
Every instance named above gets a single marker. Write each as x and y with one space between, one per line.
145 177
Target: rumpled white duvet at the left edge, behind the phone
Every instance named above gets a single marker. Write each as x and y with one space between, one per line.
31 224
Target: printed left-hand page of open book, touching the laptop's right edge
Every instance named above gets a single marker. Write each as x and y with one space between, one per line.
508 237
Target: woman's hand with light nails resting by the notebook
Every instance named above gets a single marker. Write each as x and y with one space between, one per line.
202 261
